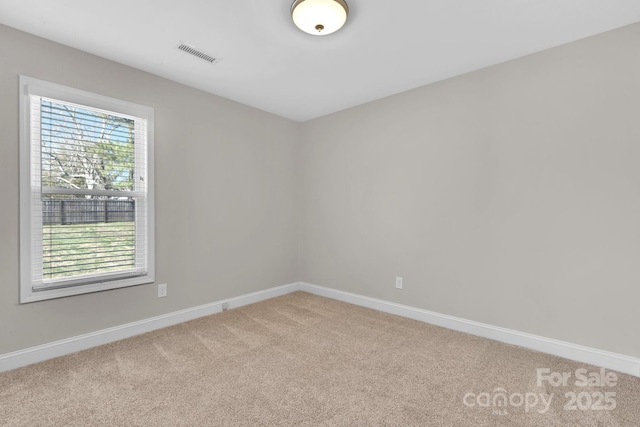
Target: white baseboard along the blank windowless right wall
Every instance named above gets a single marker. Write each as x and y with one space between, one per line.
617 362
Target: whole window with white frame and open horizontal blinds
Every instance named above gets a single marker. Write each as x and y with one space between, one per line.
86 192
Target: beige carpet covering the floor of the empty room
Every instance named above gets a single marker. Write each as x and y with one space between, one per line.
306 360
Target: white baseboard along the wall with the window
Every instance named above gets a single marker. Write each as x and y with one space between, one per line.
63 347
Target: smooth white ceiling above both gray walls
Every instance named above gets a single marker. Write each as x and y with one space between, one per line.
386 47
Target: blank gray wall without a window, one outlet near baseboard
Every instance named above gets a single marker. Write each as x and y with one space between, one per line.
509 196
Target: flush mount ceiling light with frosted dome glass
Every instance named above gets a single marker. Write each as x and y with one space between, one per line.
319 17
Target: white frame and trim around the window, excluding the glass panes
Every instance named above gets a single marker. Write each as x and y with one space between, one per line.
30 191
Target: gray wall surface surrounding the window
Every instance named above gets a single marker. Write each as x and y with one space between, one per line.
233 165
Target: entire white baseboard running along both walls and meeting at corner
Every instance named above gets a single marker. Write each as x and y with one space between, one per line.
617 362
